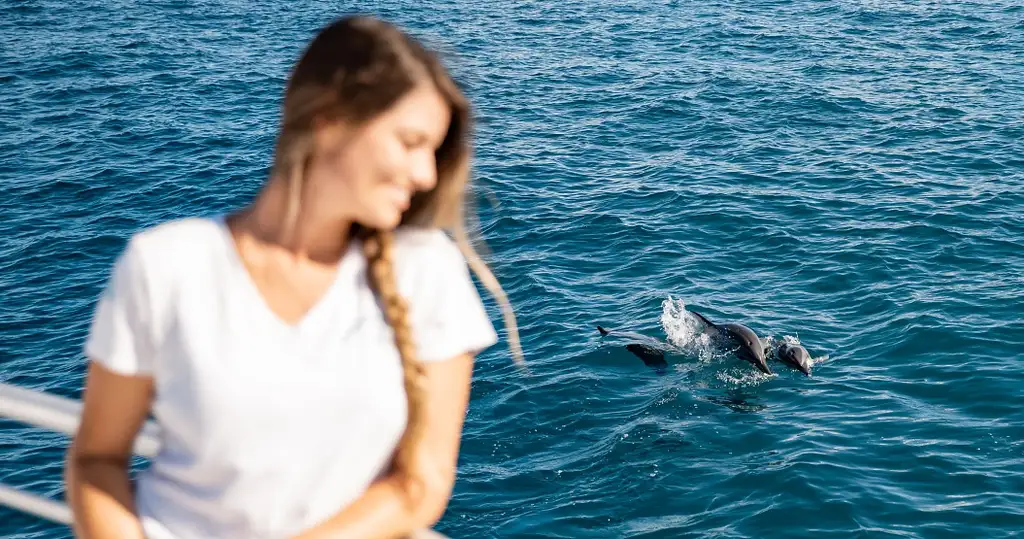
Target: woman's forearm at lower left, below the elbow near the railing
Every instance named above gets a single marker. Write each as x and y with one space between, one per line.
101 499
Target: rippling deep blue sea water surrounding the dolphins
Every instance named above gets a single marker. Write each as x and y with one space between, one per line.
849 175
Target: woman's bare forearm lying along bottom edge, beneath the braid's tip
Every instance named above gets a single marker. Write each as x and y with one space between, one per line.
386 511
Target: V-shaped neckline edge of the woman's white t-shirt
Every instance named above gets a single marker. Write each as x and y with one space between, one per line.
240 270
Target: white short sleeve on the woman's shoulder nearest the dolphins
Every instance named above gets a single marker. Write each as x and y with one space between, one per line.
449 315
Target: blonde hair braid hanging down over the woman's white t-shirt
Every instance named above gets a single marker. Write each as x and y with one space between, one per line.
378 248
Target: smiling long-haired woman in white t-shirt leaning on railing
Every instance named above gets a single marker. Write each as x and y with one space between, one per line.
298 394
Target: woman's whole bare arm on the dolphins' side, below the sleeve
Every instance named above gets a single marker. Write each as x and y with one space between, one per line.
383 511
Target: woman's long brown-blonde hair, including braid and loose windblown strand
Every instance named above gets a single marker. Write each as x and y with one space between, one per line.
353 71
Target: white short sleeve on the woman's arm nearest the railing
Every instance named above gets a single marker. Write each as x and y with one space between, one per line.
119 335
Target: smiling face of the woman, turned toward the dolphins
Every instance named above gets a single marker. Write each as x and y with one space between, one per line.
369 175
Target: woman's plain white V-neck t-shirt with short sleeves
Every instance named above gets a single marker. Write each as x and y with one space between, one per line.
268 429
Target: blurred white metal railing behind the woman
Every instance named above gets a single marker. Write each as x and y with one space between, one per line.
61 414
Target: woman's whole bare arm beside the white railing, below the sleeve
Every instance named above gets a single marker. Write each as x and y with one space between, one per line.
115 407
